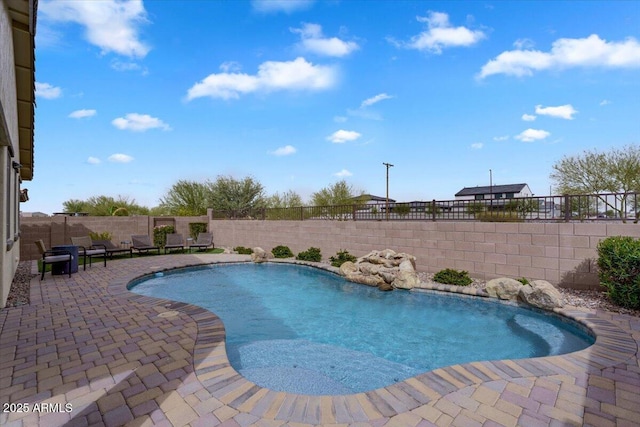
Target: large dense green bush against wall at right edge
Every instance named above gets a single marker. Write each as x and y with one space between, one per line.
619 265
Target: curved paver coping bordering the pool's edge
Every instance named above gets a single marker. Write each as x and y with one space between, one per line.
612 346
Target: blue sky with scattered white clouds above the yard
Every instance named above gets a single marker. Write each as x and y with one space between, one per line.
134 96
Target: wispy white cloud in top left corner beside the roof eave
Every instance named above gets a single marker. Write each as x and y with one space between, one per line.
111 25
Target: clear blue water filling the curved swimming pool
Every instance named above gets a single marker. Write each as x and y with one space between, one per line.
303 330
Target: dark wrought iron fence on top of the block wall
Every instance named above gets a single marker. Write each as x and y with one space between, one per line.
590 207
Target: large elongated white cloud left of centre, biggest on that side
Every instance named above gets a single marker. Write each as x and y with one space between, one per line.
272 75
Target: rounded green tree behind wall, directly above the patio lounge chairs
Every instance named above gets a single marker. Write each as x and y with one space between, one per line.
186 198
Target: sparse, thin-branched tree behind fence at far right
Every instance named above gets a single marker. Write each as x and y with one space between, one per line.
593 172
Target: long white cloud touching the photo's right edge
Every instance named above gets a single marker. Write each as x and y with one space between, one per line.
566 53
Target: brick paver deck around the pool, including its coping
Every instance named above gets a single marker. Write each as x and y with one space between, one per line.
86 351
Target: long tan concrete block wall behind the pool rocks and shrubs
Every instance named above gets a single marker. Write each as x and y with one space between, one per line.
562 253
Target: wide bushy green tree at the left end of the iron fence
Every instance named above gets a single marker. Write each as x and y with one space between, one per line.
238 198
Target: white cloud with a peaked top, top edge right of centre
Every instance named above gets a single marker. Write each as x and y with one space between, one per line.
440 34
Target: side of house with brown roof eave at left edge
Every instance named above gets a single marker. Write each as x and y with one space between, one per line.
17 79
